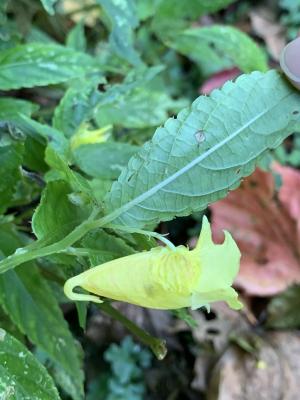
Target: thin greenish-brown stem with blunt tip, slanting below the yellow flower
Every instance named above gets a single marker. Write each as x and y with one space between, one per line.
158 346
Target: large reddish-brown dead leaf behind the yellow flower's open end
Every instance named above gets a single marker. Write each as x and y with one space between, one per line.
266 226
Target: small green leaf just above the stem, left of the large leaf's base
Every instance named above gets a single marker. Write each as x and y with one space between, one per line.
56 215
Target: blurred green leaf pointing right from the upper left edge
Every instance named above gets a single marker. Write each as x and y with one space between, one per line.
38 64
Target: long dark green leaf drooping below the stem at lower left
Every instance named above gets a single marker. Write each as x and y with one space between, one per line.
35 311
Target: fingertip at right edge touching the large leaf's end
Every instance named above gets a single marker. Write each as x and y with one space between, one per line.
290 61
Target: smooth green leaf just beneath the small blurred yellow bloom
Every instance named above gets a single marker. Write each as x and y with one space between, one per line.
104 160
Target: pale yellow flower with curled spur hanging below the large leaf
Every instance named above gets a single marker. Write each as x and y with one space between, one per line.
165 278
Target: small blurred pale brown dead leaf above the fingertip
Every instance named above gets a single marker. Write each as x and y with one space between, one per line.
264 25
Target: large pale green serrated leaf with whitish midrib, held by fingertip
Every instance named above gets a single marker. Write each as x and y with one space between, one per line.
198 157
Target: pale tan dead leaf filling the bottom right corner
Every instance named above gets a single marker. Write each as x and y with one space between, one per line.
272 374
